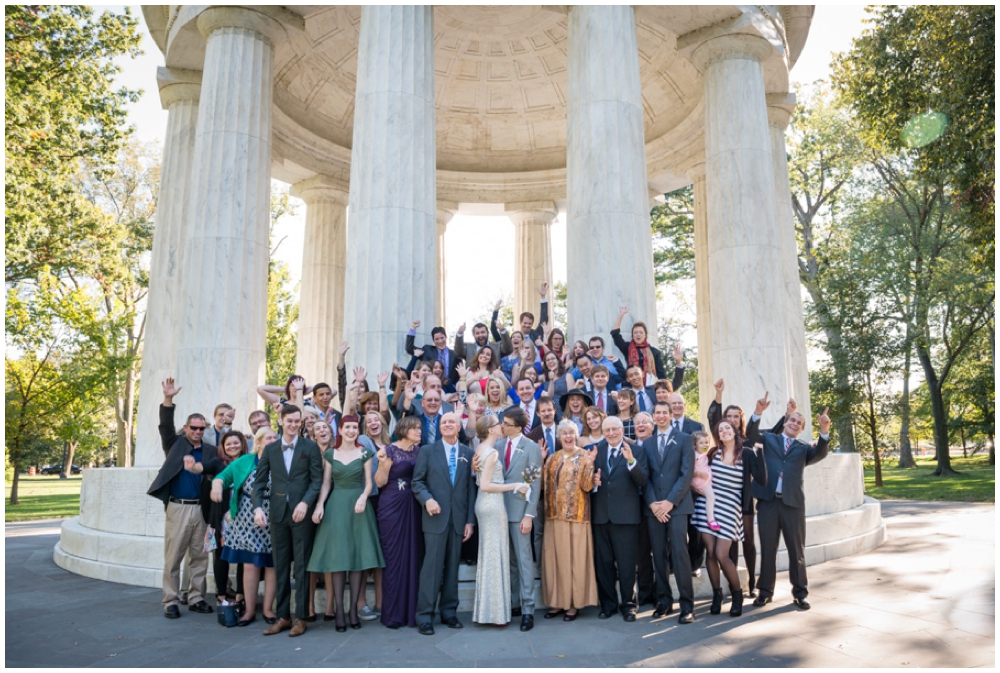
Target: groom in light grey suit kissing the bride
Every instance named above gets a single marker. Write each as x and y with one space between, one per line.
517 453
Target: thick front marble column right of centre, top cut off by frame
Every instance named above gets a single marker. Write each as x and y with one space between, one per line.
610 255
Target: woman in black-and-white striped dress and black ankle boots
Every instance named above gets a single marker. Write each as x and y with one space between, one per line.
727 459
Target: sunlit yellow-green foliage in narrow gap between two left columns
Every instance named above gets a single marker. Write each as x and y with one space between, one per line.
282 300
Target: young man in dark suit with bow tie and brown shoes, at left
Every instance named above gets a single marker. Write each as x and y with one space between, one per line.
295 467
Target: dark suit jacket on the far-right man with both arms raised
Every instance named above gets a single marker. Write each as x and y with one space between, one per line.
790 465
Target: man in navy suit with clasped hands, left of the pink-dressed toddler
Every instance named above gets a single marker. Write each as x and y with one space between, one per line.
670 456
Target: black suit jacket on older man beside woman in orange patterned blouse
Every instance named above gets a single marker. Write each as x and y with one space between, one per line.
618 499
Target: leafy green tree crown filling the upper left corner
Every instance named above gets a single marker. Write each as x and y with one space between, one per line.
60 108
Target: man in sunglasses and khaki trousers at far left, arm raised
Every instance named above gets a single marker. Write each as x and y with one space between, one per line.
179 485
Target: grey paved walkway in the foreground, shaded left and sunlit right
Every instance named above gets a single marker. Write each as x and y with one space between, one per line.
925 598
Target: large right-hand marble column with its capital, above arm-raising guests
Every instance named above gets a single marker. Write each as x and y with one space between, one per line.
746 284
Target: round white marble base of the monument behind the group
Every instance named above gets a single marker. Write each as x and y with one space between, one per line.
118 536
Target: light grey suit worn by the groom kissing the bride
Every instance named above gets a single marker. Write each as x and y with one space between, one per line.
522 566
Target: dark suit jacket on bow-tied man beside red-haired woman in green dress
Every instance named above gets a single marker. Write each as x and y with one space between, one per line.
288 488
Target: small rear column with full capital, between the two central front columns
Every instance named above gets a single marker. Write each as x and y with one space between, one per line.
532 251
